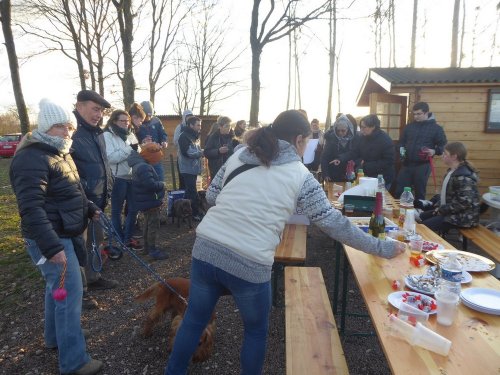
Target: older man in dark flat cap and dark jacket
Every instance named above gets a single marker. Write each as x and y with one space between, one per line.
89 154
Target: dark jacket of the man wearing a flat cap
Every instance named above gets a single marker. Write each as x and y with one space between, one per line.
89 154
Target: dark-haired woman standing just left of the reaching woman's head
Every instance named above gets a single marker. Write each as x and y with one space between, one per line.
219 145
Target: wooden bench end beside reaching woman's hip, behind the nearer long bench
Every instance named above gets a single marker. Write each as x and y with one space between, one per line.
292 247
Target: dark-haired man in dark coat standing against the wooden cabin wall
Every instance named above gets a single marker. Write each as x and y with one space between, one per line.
421 140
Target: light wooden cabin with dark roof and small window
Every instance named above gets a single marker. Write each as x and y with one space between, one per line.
465 101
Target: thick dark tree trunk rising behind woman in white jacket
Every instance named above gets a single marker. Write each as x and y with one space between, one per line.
126 23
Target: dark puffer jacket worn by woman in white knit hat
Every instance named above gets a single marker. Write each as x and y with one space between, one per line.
51 200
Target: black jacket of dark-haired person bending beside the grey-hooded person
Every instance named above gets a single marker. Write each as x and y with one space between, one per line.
377 153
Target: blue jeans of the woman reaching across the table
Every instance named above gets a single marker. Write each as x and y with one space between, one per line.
208 283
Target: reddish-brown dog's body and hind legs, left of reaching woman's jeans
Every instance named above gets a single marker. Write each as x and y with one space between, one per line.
166 301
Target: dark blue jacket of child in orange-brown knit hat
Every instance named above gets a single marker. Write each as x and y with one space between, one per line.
148 189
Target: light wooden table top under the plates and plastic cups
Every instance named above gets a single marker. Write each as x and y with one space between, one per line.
475 336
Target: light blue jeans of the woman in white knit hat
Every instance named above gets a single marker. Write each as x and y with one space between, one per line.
62 318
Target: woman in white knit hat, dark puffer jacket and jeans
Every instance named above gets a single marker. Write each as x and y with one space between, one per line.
53 208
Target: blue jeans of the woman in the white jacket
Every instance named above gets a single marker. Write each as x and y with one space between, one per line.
122 190
